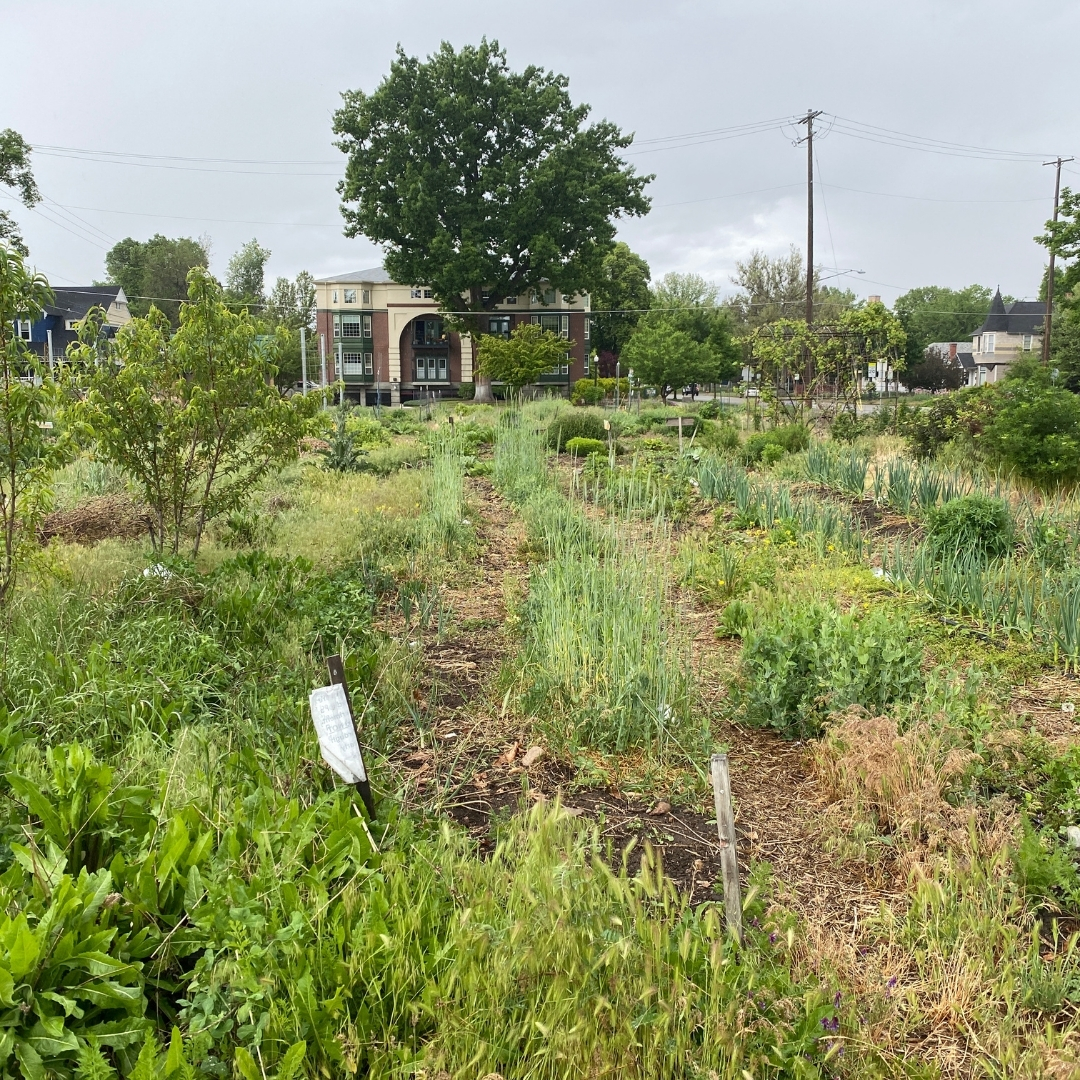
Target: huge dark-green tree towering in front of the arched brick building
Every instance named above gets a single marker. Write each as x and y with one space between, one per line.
483 183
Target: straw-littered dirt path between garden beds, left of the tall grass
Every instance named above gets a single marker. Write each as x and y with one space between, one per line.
470 759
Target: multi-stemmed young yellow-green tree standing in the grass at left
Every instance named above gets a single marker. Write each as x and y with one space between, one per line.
192 416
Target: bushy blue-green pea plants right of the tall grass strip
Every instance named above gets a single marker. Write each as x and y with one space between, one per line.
809 661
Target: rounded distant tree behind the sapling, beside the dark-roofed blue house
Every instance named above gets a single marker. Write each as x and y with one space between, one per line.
155 273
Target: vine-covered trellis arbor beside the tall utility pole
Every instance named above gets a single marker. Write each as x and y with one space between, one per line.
825 363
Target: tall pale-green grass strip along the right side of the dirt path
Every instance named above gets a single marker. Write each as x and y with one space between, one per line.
601 666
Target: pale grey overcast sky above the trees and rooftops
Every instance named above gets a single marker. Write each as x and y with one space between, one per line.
261 82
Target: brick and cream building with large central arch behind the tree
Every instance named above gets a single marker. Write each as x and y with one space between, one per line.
389 343
